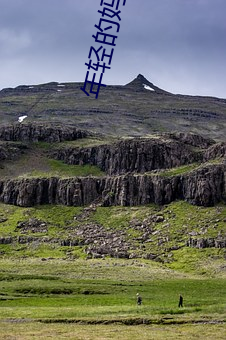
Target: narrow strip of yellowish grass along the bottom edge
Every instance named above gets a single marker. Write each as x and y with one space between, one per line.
38 331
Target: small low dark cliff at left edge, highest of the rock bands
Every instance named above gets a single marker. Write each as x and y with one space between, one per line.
37 132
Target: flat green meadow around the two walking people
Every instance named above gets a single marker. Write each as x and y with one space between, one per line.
96 299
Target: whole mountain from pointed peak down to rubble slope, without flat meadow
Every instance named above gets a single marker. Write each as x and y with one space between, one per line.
102 177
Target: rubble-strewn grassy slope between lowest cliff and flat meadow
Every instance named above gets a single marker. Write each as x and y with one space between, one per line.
179 221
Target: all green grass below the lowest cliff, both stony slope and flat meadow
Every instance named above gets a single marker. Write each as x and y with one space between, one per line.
52 291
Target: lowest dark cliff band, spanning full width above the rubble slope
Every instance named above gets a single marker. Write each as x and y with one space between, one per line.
205 186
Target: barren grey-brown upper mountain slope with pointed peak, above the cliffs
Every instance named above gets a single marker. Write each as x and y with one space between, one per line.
138 108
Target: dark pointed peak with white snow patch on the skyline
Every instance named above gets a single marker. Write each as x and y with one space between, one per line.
140 83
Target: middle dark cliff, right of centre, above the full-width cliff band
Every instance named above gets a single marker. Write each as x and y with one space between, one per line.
131 155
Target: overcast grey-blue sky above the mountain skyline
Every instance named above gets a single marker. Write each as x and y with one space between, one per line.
179 45
